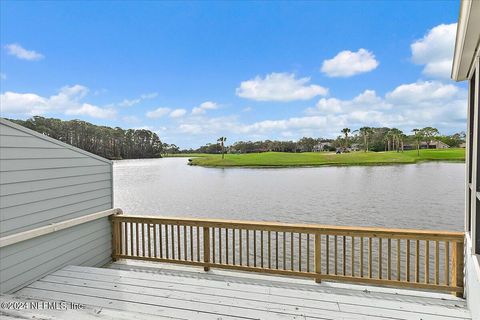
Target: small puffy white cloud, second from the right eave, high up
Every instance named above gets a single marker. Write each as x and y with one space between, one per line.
347 63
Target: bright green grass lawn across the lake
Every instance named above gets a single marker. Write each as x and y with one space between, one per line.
282 159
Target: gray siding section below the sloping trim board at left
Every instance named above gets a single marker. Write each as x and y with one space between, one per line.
87 244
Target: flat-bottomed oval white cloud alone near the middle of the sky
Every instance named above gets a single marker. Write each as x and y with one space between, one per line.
279 87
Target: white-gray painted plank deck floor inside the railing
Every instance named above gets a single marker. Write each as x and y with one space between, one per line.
127 290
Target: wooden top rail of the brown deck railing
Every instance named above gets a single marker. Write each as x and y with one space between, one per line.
302 228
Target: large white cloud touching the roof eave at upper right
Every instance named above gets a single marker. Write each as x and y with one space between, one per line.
435 51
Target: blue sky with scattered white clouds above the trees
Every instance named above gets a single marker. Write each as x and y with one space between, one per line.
194 71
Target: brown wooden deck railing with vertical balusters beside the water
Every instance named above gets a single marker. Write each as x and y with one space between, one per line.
430 260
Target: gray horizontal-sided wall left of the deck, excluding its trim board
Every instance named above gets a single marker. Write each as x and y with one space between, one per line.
44 181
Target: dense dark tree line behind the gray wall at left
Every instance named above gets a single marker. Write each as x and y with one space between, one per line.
107 142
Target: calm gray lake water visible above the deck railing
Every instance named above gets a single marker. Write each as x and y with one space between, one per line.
428 195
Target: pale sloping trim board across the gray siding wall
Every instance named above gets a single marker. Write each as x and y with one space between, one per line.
26 235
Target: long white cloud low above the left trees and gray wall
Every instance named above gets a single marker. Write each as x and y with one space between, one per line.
68 101
